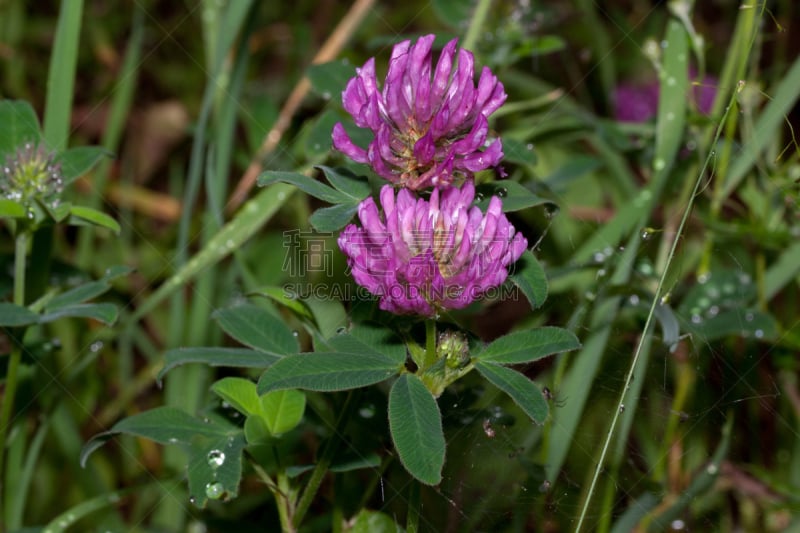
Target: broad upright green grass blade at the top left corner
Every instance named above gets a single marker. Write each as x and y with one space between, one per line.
61 77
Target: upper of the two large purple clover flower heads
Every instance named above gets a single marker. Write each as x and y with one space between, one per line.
429 125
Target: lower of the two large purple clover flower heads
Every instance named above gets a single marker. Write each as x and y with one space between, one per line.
425 256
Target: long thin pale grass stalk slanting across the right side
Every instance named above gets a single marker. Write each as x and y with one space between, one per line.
647 327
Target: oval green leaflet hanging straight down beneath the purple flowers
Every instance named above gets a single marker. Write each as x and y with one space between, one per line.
416 426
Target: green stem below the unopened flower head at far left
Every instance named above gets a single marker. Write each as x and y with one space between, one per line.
20 254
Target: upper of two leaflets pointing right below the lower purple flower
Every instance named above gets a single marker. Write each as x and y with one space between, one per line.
529 345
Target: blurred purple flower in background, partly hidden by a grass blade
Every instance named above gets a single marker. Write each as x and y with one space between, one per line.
639 102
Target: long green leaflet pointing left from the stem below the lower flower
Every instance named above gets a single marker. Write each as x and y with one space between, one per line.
327 371
